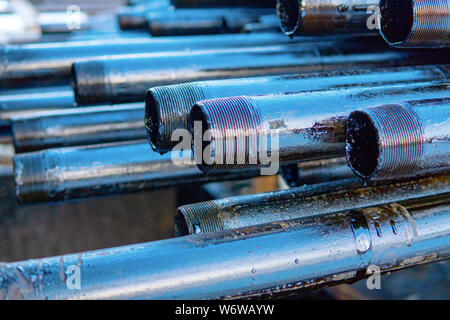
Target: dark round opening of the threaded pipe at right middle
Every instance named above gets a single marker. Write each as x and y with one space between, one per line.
362 146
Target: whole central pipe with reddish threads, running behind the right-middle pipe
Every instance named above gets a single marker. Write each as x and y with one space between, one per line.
306 126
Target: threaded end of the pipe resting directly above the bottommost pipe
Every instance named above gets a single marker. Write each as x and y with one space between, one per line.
203 217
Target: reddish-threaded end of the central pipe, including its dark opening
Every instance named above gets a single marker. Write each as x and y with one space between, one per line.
232 126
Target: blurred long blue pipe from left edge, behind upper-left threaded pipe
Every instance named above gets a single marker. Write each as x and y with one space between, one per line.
50 63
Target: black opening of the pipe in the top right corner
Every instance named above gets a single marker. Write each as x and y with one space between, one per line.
397 17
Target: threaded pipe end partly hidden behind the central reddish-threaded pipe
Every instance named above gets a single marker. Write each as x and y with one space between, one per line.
167 109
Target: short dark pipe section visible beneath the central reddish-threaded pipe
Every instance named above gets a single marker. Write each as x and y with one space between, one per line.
317 171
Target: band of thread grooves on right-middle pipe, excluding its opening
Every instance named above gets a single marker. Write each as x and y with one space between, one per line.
400 139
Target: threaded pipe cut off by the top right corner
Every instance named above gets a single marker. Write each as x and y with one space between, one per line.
415 24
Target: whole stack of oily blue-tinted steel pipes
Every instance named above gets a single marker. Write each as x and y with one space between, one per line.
357 128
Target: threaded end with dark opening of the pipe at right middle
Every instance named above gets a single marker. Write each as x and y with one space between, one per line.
385 142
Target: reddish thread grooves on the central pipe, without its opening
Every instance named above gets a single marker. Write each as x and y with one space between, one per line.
234 120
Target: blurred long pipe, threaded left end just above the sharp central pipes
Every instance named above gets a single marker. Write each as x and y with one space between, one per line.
119 80
